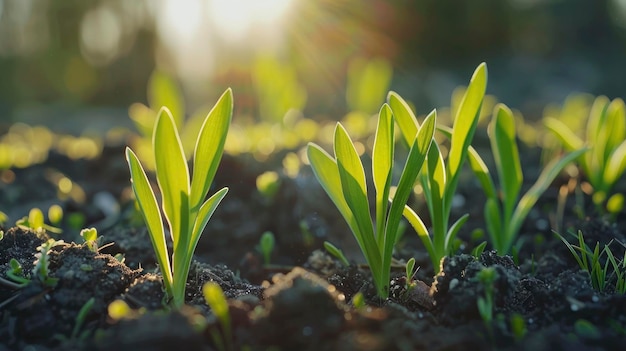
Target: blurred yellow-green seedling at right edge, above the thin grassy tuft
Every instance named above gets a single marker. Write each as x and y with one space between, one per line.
605 136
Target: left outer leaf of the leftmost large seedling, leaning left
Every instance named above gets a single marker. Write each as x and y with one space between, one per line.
151 215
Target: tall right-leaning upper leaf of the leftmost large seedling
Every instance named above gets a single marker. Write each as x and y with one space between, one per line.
209 148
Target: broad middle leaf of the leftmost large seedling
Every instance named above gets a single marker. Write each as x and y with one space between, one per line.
172 176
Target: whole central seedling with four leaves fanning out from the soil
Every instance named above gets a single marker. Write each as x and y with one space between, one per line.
343 179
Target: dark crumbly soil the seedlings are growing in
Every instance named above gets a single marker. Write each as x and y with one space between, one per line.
304 300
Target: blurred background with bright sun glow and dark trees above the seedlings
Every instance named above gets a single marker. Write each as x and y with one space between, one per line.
71 64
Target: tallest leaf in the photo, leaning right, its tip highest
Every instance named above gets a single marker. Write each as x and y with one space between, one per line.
466 119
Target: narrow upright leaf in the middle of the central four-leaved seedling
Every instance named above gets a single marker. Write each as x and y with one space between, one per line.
382 165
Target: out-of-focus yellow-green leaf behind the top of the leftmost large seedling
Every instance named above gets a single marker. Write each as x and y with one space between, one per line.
163 91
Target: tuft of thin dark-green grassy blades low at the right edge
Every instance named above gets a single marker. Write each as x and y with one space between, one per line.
591 262
